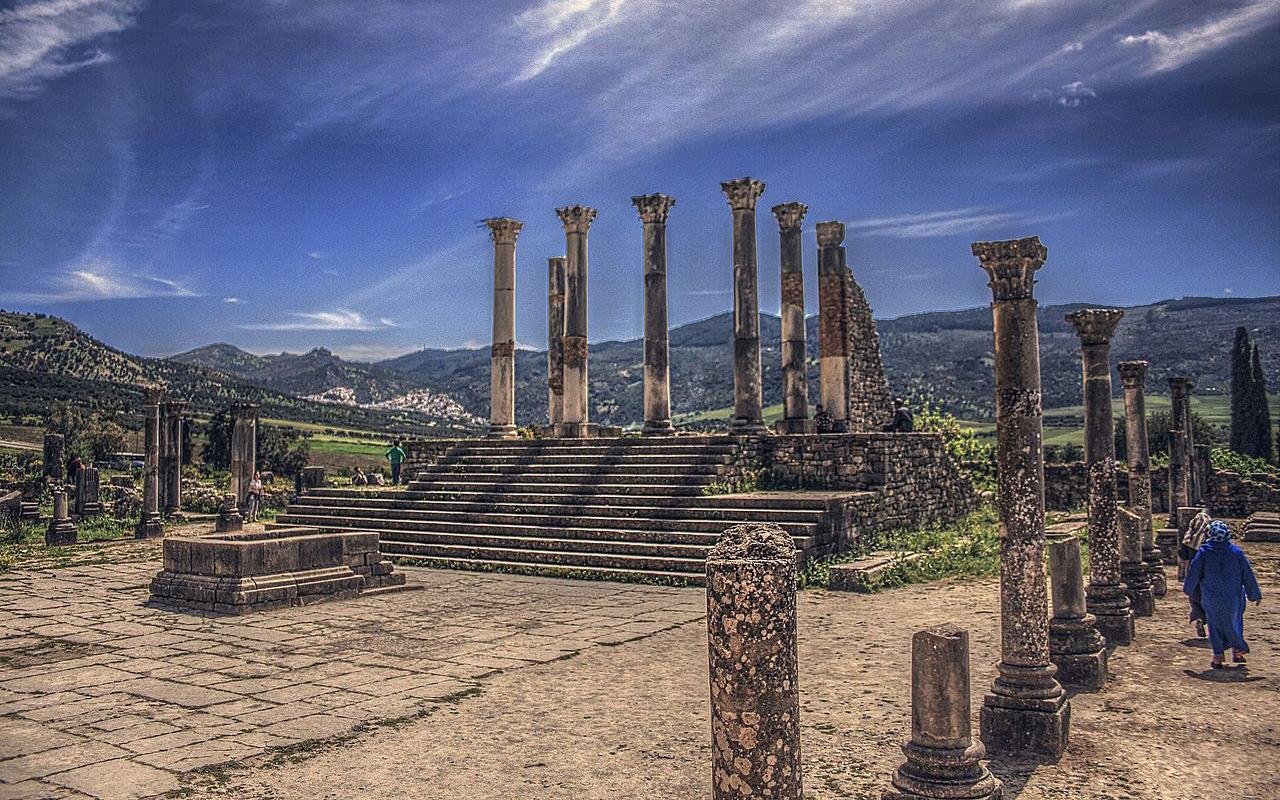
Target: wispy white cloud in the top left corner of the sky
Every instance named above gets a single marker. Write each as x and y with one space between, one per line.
44 40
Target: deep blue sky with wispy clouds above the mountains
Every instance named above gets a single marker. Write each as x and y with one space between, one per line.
285 175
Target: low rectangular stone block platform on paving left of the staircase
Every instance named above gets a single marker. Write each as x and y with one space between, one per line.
244 573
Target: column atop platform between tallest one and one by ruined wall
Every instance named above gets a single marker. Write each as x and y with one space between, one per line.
796 383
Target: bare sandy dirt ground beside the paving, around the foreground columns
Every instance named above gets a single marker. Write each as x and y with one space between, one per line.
632 721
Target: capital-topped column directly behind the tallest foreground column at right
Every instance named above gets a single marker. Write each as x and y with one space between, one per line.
1108 598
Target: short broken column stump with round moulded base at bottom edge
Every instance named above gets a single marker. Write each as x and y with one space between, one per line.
943 760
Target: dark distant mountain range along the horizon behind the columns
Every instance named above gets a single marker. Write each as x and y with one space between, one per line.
945 355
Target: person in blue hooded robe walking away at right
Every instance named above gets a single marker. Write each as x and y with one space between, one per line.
1224 579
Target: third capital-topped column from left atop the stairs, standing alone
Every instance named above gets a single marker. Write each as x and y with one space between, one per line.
657 374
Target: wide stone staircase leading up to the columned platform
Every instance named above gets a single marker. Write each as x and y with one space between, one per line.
621 509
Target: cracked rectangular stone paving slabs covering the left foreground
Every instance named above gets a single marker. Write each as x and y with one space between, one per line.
103 696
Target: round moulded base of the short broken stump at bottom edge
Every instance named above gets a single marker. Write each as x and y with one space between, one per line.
934 774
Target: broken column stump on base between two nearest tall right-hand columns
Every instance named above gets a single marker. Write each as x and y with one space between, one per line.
1075 643
